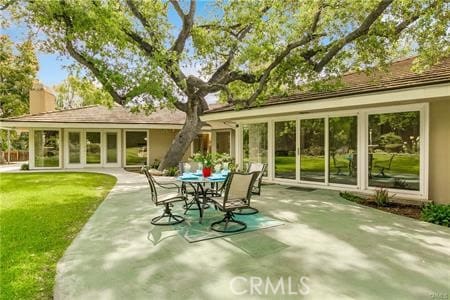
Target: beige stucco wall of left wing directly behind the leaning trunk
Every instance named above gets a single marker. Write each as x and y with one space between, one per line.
160 141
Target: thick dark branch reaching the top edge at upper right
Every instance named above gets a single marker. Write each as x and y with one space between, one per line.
336 46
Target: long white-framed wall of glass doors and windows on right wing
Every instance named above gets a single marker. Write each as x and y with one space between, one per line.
362 149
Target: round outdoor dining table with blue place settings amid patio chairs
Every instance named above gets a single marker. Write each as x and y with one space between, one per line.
198 183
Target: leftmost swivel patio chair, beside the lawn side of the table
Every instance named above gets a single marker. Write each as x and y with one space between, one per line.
165 199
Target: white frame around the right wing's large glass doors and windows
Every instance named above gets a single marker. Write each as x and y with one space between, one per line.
362 151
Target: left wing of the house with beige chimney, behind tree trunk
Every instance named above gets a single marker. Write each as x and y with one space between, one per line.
98 136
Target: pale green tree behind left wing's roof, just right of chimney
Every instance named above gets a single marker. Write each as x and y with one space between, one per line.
75 92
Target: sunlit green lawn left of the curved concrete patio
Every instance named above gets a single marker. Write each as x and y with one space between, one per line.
40 214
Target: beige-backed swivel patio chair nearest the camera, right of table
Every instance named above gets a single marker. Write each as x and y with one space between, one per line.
237 194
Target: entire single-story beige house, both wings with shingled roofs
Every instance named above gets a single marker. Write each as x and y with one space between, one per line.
388 129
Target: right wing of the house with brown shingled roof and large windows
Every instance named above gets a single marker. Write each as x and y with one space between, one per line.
390 129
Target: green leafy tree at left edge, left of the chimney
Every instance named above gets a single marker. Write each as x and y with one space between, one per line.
18 68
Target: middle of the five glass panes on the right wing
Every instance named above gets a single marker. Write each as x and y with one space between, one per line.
312 147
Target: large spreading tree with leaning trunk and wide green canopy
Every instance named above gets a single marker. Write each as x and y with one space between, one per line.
247 50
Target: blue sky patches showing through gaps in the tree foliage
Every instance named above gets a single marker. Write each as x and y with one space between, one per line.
52 67
